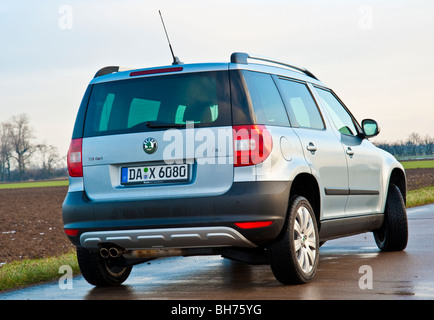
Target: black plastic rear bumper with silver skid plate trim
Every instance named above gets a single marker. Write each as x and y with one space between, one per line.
191 222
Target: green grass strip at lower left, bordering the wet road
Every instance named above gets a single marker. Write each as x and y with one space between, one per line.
22 273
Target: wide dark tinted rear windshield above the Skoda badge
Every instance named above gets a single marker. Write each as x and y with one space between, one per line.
145 104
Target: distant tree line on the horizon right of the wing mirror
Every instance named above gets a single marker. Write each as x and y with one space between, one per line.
414 146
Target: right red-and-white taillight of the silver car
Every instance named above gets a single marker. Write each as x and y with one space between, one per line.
252 144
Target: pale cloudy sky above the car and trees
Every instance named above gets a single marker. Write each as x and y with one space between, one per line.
376 55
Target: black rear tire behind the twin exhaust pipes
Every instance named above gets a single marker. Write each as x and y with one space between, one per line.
101 272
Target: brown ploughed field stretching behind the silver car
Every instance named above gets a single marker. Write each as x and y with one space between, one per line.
31 219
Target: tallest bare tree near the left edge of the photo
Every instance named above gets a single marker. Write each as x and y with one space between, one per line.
21 136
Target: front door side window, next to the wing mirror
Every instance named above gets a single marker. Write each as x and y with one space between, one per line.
340 117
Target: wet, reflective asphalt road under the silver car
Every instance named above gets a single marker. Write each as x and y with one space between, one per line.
350 268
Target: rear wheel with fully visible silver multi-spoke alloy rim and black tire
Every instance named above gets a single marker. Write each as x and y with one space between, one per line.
294 256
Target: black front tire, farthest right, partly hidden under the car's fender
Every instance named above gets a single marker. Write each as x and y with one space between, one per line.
393 235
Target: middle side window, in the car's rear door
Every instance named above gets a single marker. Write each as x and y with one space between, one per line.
302 109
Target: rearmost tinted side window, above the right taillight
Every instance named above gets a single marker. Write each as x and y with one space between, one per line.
267 103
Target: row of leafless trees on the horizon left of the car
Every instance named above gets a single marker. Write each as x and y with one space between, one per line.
22 158
